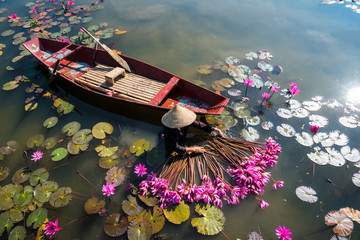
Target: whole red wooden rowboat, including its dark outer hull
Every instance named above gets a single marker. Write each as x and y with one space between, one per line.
93 75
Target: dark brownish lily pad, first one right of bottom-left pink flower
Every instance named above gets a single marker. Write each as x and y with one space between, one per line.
115 226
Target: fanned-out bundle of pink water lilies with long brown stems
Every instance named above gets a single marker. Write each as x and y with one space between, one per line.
229 170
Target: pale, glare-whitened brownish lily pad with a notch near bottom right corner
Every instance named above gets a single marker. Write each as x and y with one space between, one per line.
344 225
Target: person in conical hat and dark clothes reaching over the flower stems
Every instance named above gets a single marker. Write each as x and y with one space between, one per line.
176 122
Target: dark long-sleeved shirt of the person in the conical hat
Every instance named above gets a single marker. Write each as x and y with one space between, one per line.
175 137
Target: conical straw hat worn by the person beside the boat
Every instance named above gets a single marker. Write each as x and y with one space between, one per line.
178 117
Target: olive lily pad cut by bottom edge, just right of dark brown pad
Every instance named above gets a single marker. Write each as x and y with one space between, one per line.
142 230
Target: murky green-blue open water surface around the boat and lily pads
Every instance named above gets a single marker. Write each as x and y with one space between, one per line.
317 46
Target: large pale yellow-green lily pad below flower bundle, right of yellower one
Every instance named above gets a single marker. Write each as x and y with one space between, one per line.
211 223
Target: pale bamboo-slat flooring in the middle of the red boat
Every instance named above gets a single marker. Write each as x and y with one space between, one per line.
132 86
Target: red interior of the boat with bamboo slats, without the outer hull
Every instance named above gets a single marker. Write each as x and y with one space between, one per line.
146 84
